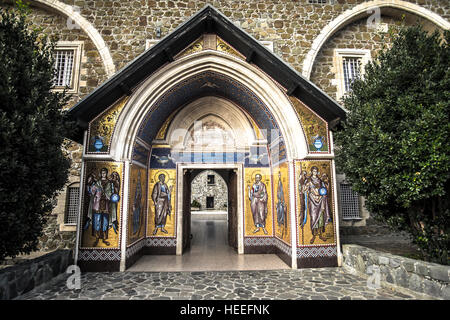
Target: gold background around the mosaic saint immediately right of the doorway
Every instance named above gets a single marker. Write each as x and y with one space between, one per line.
249 221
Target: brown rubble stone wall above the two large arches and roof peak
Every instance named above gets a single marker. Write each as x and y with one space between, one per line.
291 24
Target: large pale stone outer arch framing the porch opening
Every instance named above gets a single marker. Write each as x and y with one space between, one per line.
141 102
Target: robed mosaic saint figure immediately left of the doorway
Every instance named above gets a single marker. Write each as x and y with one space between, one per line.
161 199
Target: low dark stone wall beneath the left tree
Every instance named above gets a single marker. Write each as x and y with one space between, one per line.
21 278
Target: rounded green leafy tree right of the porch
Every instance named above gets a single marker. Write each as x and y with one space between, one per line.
394 144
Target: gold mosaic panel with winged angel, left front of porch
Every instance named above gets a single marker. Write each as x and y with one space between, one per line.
101 216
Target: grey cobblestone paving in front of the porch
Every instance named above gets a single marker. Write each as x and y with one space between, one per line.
304 284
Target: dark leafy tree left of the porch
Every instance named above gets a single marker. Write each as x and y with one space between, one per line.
32 128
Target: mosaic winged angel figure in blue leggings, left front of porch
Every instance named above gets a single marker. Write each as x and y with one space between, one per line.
103 197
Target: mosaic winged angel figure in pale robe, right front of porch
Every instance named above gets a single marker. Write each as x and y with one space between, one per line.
314 199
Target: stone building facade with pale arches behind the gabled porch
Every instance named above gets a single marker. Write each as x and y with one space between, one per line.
313 37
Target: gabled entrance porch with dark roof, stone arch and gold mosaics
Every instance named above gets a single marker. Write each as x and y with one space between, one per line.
207 96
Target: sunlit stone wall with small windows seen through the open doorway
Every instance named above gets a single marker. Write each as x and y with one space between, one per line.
201 189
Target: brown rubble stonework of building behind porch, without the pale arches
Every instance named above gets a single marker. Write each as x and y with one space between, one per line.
125 26
